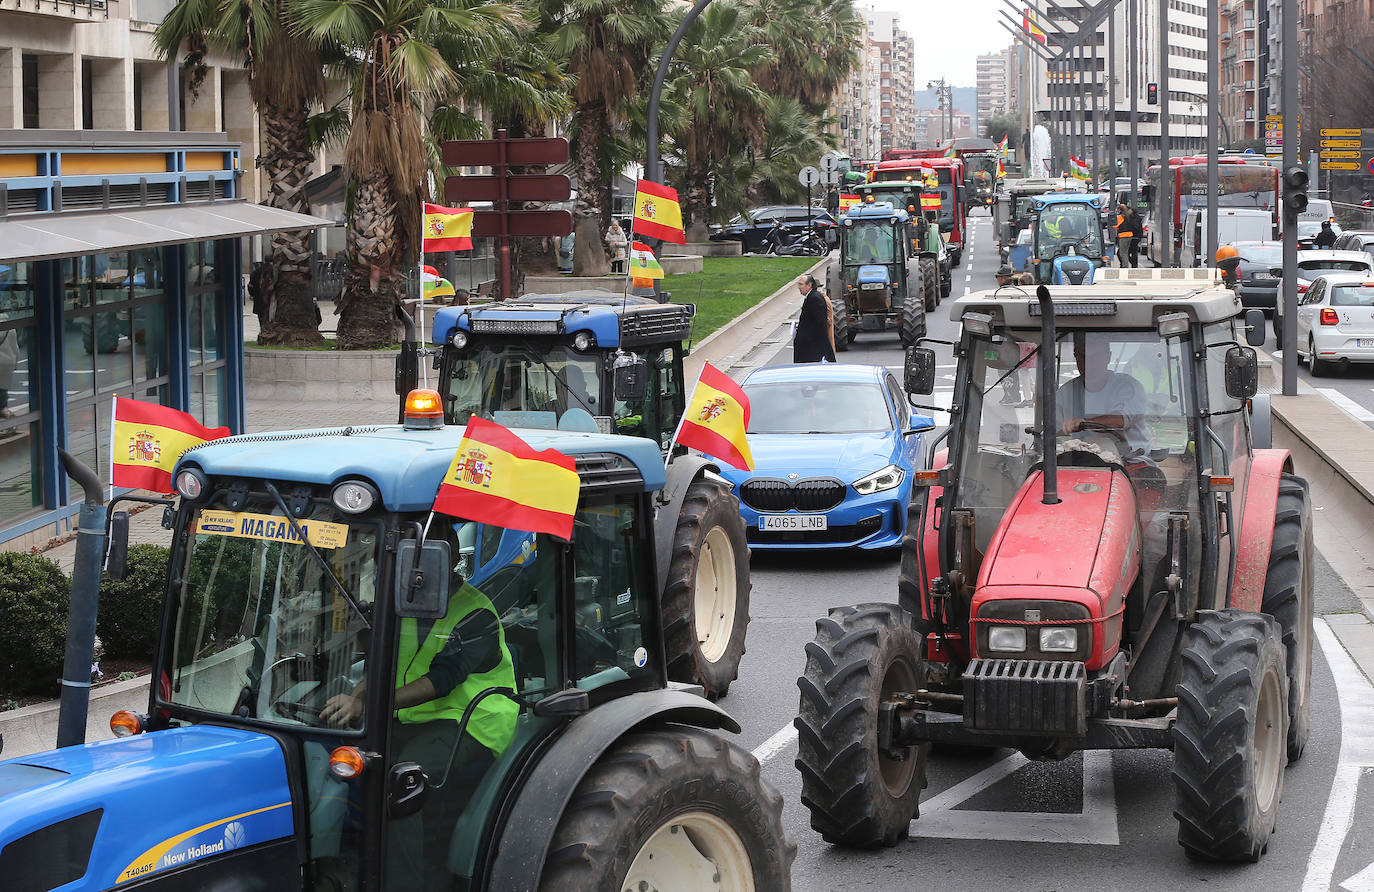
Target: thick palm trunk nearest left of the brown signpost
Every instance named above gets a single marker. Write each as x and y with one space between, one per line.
376 280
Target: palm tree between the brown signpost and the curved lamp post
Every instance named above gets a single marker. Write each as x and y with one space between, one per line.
608 46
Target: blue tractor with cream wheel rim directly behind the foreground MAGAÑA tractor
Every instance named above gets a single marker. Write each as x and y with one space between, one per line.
552 362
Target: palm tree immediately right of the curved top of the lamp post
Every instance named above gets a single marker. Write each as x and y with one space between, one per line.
723 108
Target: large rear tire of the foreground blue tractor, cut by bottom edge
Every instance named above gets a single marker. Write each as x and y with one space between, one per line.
671 809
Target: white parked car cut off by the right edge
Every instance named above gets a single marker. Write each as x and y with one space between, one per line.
1336 322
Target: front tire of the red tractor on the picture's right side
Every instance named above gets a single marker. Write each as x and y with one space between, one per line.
1230 742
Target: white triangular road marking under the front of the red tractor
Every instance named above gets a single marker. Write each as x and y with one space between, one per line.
1096 825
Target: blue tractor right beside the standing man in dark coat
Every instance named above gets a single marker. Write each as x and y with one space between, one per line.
881 280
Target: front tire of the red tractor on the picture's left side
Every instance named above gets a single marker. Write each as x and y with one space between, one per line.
858 795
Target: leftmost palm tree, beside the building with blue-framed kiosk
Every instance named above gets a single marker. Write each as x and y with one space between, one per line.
285 80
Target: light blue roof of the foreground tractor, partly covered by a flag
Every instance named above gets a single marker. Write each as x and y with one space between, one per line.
406 467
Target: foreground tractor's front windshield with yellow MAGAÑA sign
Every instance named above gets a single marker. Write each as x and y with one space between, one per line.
262 632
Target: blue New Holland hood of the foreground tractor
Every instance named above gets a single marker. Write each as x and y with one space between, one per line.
144 805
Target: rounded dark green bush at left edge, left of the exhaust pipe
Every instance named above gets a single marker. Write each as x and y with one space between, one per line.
35 596
